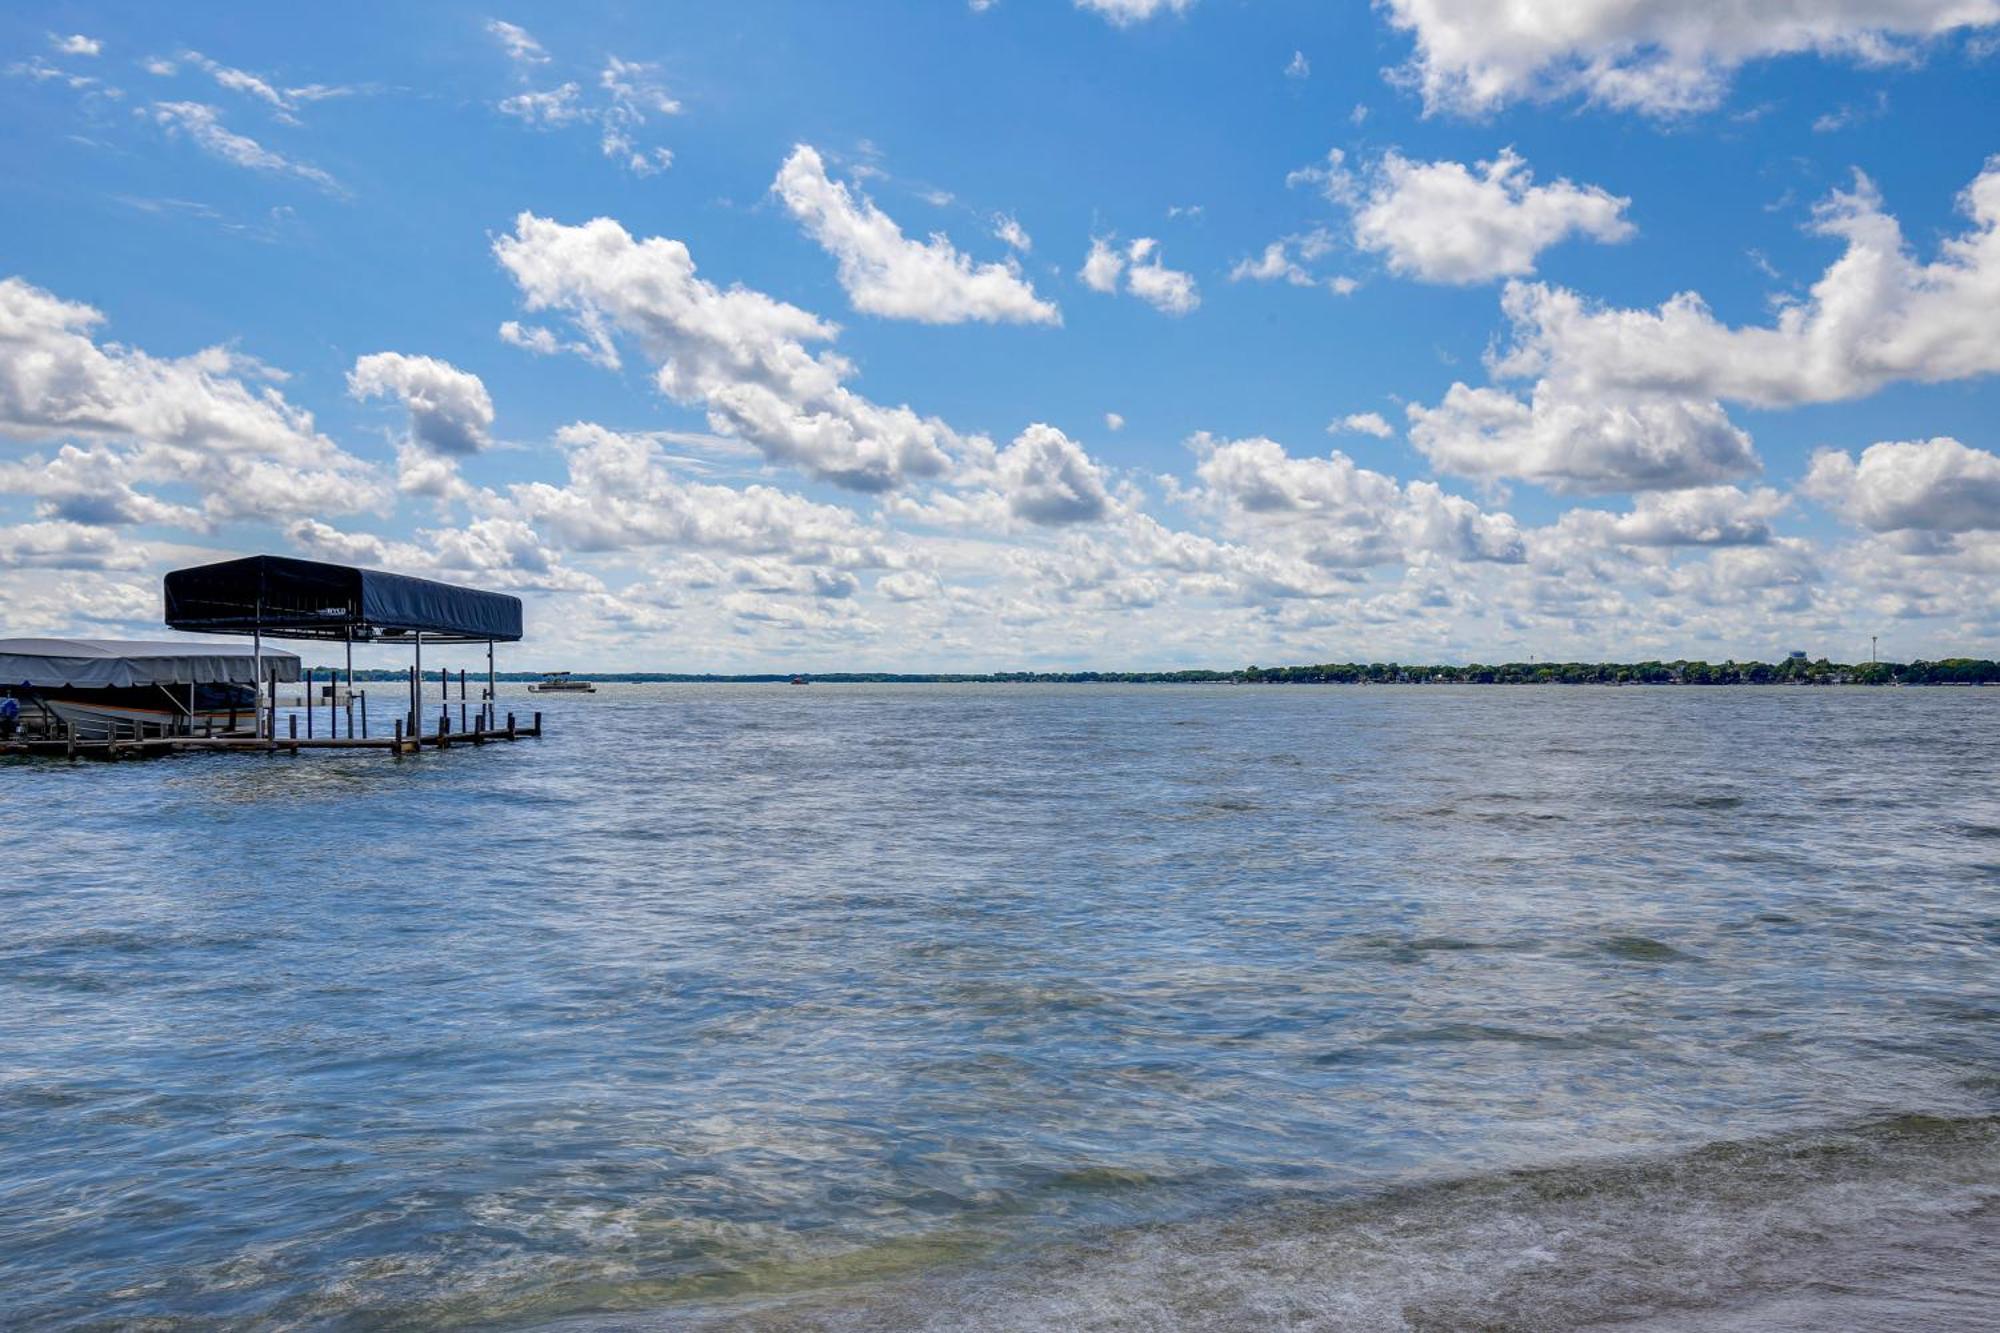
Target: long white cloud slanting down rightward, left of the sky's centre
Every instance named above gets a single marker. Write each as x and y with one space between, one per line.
739 353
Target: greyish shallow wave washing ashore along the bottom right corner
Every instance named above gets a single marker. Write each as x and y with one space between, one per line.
1883 1226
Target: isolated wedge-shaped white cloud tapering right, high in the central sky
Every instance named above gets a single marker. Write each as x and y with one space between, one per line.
887 273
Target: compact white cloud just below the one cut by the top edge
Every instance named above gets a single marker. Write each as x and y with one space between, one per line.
1445 223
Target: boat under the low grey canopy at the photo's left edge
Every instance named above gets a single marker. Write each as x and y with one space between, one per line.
121 688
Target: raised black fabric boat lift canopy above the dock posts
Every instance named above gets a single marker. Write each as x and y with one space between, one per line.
281 597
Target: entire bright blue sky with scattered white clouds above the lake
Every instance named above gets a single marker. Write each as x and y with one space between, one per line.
1119 333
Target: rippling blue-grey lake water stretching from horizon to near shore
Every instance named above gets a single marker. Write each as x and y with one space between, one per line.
1113 1008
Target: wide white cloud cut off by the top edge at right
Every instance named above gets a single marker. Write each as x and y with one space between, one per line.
1661 59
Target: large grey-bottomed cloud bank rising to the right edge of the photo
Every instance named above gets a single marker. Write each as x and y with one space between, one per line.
1633 399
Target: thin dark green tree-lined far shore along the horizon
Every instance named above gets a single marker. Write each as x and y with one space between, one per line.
1947 672
